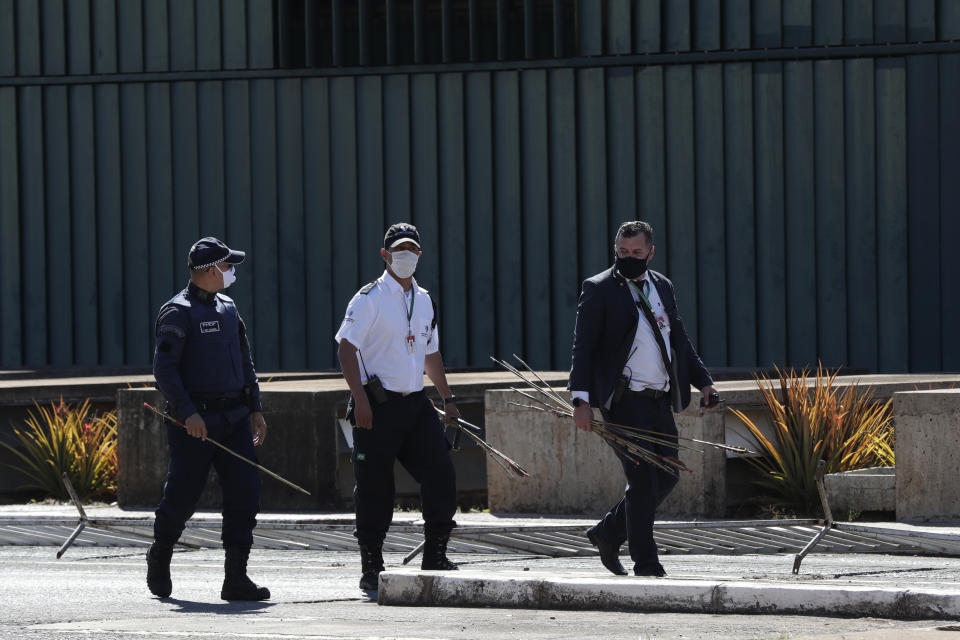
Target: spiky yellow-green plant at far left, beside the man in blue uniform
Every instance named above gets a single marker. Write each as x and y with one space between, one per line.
71 439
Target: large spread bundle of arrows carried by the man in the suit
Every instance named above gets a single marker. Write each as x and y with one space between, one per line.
627 441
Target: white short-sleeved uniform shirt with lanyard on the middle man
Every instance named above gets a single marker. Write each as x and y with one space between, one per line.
376 324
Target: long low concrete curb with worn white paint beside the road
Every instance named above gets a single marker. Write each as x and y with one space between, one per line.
411 587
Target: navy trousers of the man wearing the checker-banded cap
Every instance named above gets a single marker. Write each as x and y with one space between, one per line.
190 460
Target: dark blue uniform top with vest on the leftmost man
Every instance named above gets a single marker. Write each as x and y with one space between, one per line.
202 347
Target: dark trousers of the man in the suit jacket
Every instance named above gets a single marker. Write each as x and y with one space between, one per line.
631 519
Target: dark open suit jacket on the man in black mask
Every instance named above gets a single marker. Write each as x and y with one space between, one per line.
607 319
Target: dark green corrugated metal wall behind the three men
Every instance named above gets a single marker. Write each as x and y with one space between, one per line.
805 208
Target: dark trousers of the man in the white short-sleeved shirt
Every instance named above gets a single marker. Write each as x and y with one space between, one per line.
406 429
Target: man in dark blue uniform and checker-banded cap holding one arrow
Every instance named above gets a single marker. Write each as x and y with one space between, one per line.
203 367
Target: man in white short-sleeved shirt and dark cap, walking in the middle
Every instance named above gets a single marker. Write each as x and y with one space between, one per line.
388 339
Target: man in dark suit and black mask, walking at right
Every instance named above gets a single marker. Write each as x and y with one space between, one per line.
632 359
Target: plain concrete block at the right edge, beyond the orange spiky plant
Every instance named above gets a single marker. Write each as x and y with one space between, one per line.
928 455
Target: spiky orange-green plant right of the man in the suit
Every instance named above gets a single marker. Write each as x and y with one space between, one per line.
844 427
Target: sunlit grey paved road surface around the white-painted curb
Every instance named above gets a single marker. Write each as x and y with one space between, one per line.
100 593
